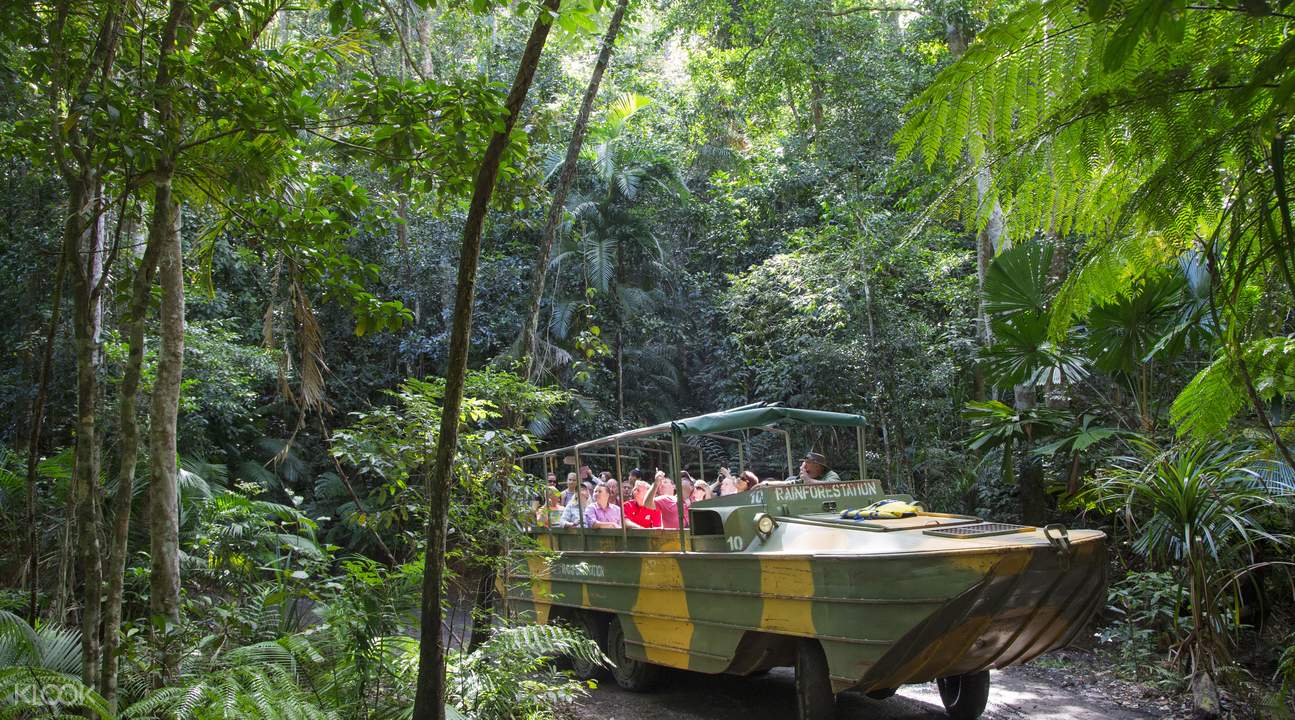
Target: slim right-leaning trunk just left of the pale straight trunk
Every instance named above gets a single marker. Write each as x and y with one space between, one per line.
133 324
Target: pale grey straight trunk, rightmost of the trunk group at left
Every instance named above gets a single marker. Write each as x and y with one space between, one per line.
164 491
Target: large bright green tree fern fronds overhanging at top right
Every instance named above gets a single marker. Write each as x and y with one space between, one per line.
1139 159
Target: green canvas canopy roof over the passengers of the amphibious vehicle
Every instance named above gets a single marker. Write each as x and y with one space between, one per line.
757 415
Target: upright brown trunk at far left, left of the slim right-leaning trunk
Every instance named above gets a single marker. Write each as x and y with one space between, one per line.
84 242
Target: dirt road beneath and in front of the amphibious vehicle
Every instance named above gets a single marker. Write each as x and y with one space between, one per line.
1016 693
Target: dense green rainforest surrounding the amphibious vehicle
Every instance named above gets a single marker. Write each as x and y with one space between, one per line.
288 288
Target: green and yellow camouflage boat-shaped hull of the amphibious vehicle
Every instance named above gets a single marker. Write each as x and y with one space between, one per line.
892 602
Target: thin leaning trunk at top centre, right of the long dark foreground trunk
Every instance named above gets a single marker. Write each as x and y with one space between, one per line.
530 332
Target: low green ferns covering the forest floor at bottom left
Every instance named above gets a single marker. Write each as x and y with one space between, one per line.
296 675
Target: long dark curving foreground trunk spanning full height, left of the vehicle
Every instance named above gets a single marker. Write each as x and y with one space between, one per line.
431 697
